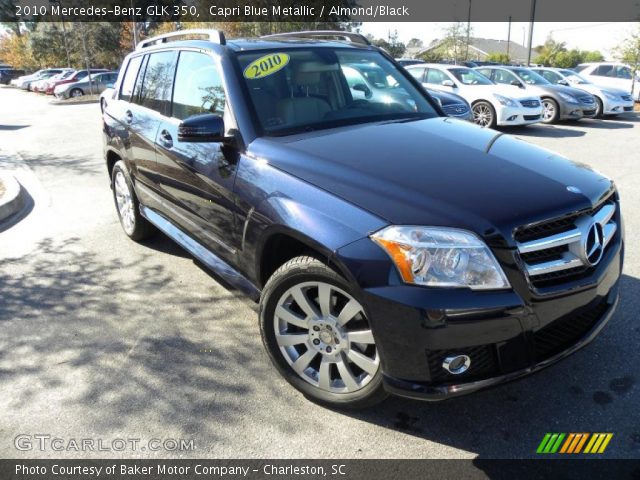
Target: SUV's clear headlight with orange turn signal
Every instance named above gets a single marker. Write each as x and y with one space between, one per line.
441 257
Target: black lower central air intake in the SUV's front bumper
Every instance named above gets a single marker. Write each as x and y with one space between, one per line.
566 331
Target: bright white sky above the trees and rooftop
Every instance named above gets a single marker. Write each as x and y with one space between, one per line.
582 35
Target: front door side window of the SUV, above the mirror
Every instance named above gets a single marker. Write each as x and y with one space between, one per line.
198 86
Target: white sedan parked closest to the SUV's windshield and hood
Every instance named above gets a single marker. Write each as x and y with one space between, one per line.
491 104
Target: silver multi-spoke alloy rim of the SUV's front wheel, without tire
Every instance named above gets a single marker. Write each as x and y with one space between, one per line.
324 335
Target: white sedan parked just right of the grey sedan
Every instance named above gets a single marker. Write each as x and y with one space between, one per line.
610 101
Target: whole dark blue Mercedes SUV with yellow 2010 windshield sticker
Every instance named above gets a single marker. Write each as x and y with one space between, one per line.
392 249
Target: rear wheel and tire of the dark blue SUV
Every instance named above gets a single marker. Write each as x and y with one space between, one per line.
127 206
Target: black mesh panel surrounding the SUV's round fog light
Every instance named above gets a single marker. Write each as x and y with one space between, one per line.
483 364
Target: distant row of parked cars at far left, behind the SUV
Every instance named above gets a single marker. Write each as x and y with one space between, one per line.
67 82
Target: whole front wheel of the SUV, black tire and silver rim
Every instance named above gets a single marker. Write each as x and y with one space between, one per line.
315 354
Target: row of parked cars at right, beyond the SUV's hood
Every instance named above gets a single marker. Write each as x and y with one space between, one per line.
500 95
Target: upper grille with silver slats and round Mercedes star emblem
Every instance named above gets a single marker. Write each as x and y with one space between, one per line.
564 248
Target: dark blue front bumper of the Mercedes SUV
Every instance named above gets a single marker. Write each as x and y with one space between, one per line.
507 334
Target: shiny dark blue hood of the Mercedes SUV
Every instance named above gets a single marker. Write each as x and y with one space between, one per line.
438 171
